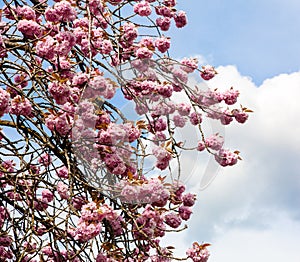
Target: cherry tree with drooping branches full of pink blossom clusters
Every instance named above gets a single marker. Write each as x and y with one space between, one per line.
82 179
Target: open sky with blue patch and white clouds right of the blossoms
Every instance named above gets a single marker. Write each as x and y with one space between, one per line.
250 212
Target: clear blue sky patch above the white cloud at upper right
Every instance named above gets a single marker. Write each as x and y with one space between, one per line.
260 37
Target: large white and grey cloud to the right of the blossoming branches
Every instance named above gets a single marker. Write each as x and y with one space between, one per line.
251 211
